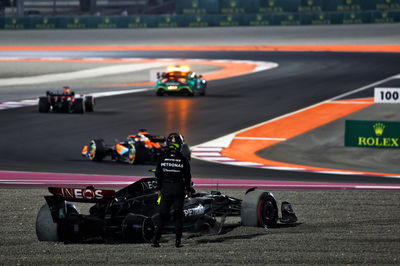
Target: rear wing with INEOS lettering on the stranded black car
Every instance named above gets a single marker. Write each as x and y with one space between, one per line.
89 194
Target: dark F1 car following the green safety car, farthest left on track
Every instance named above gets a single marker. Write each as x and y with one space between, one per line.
65 102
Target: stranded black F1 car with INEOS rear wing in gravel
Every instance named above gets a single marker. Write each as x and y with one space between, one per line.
129 215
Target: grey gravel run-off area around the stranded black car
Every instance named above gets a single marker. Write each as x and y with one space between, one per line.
334 227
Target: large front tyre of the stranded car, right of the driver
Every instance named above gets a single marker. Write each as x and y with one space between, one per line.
259 209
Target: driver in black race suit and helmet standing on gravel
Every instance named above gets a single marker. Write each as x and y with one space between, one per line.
173 183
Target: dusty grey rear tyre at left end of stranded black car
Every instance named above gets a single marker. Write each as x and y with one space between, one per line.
46 229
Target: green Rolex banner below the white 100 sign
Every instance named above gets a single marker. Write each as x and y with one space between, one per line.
373 134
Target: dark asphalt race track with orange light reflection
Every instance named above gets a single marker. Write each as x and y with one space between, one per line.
52 142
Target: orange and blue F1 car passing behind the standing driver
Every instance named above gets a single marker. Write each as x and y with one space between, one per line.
136 149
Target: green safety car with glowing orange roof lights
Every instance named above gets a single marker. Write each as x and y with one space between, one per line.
180 80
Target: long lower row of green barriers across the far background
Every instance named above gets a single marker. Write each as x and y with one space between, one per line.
260 19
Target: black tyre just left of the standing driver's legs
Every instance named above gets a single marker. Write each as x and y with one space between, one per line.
137 228
